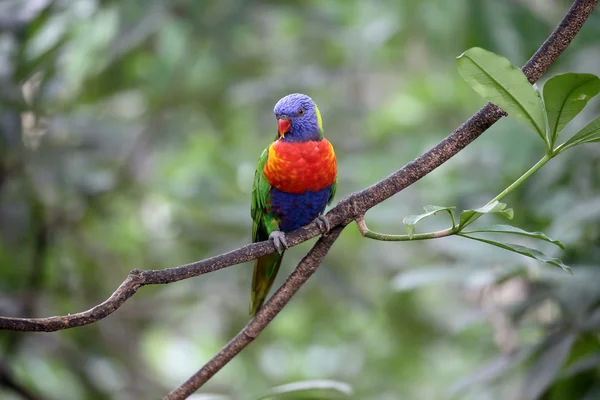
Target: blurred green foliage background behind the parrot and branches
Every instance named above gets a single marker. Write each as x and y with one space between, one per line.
129 135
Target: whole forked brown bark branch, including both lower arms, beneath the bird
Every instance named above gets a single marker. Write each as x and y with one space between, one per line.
347 210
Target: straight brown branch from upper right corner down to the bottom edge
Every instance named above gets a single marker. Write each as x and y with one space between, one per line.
354 206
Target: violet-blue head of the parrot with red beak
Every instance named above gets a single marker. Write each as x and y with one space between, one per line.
298 119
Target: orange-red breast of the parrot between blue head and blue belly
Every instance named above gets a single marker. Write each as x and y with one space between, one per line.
301 167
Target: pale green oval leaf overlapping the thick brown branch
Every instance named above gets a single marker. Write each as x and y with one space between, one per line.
495 79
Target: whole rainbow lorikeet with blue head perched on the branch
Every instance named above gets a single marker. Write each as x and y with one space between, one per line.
295 179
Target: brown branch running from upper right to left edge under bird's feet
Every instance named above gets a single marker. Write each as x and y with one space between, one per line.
347 210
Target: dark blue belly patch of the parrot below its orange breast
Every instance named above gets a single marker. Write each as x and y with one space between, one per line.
296 210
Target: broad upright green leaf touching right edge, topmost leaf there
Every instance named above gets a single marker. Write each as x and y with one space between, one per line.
565 96
